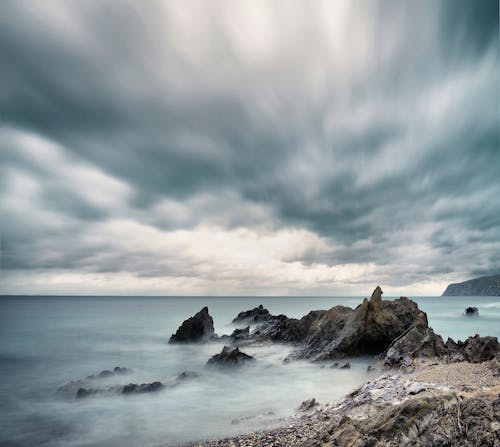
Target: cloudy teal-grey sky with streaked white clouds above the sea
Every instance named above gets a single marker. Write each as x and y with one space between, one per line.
248 147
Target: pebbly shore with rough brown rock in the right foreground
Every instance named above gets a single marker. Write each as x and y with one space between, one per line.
403 409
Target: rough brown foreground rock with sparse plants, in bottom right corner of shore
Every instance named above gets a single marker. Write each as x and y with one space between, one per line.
430 421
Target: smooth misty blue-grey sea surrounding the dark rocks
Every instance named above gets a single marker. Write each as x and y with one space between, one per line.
46 342
